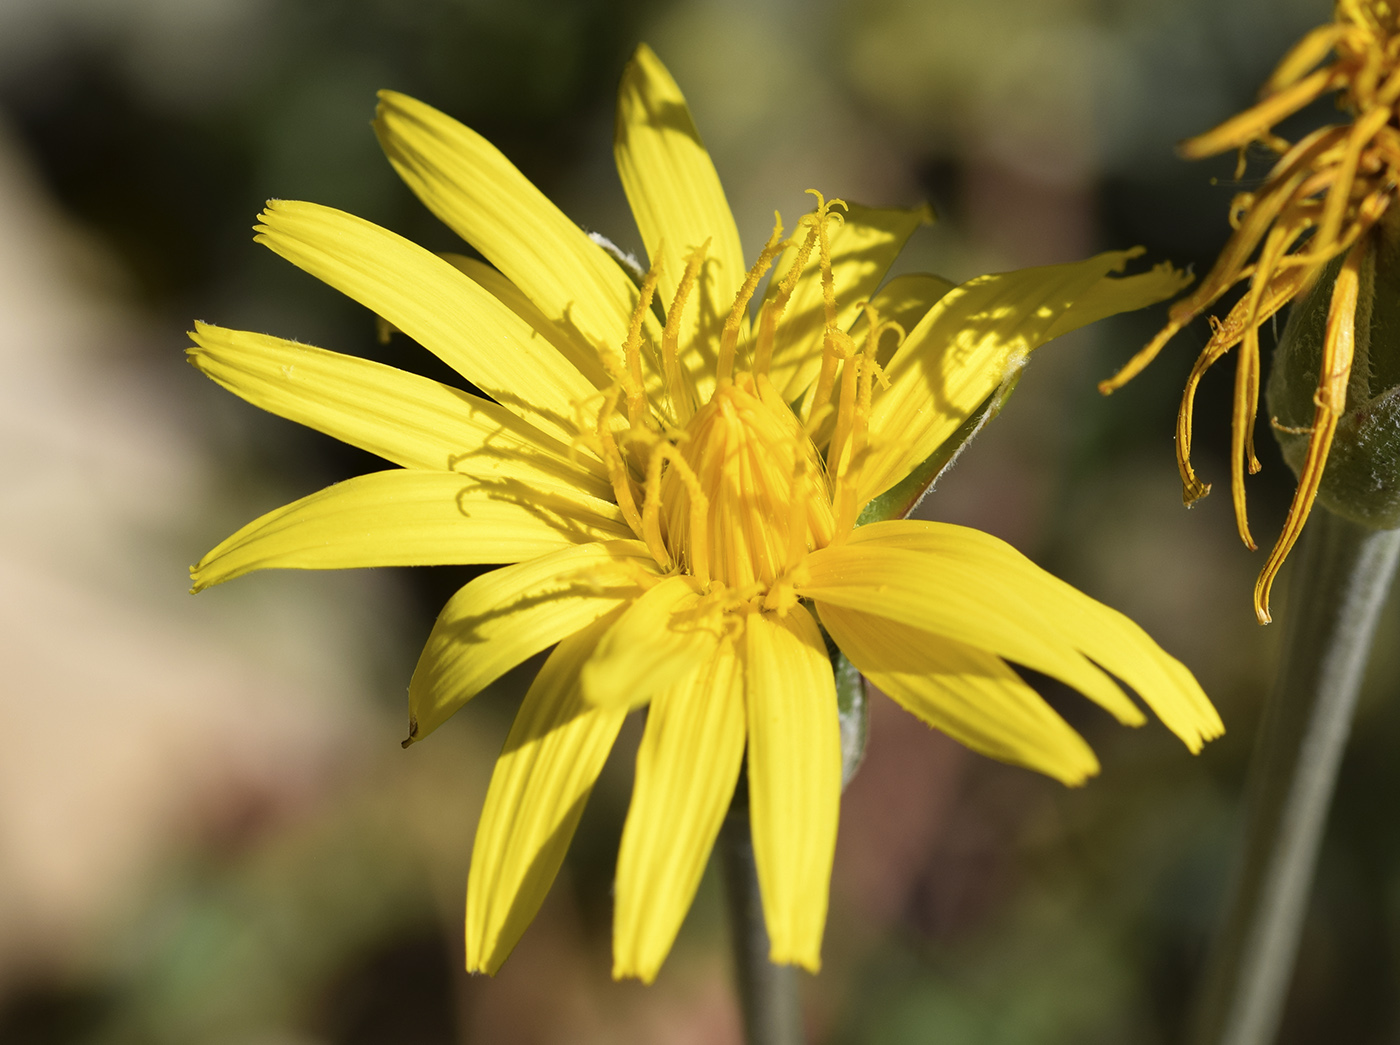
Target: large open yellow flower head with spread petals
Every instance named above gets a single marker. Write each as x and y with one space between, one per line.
678 490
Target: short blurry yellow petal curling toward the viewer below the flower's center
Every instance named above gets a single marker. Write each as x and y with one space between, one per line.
661 639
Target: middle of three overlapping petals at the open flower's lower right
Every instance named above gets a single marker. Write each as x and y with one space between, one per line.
957 593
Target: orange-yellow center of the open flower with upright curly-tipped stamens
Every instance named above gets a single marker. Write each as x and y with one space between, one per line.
733 491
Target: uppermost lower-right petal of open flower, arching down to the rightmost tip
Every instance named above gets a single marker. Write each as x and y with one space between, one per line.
1102 634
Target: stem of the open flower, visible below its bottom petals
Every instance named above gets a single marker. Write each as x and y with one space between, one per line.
768 992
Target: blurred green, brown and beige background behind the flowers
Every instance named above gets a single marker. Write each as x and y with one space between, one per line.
208 830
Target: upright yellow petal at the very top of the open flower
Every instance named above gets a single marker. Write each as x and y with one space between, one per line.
678 202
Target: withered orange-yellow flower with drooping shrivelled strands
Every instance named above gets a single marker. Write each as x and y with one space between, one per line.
1317 205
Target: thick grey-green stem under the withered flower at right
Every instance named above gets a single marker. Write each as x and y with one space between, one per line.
1335 603
